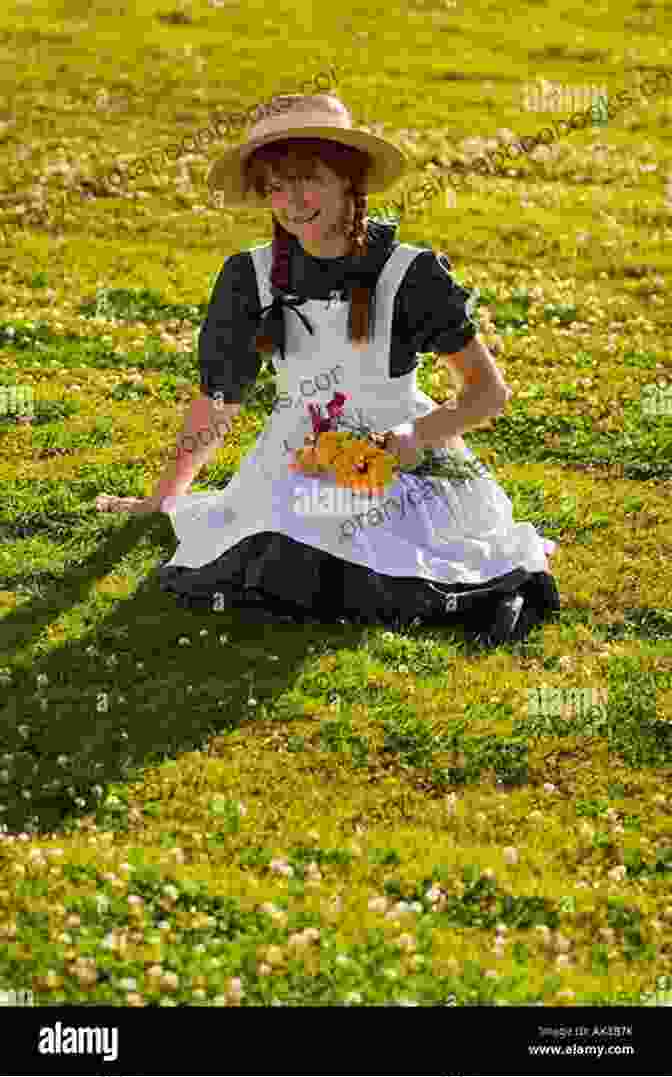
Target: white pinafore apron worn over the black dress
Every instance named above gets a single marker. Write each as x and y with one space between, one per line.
465 536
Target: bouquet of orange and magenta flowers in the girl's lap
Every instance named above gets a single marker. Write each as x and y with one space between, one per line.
359 459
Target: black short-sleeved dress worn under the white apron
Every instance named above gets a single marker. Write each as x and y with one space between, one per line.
286 580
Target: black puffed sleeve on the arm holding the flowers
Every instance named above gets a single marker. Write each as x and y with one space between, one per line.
435 313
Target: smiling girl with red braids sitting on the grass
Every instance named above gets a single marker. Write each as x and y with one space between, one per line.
343 307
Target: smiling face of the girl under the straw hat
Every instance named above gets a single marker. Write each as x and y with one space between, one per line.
317 211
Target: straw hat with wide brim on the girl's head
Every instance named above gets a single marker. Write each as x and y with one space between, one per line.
319 117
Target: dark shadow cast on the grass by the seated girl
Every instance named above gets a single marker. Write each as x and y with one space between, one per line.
101 719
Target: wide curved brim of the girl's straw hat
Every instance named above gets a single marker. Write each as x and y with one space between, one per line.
388 164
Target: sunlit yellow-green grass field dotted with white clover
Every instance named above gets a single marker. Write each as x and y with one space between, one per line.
202 809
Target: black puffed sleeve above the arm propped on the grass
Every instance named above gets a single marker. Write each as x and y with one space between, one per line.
230 363
